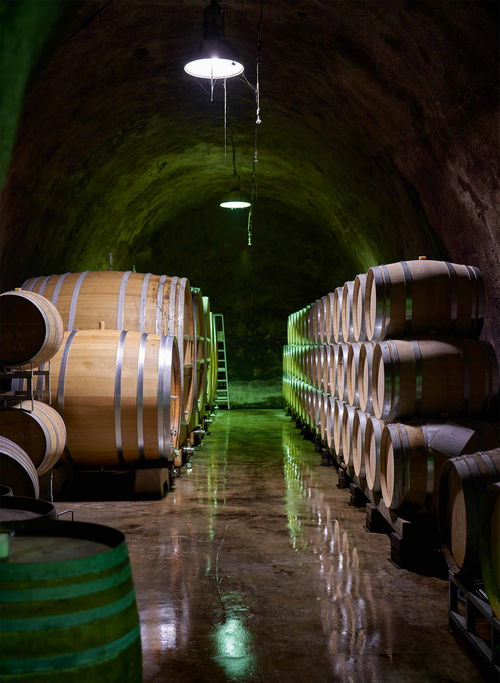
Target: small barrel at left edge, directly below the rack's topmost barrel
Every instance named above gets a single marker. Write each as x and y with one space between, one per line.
38 429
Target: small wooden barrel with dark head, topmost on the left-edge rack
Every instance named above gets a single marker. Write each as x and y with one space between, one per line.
31 329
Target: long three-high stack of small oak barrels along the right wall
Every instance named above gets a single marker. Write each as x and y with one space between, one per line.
388 372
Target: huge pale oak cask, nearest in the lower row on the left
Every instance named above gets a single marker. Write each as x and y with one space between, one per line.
119 395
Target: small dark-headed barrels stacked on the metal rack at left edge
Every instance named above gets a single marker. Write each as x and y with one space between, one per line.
32 433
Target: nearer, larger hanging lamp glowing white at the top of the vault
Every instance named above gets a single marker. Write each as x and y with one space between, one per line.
216 58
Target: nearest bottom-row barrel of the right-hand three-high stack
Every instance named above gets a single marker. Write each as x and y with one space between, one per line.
411 457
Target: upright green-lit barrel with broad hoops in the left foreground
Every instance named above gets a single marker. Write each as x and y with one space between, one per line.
68 607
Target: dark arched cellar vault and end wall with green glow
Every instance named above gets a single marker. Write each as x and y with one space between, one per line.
378 142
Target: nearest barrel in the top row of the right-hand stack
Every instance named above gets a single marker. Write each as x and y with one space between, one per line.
423 297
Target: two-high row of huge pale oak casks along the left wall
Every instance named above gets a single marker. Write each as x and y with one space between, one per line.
134 374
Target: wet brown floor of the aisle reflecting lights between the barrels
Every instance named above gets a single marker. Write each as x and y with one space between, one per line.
255 568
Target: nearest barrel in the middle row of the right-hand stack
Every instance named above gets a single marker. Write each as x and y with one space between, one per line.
433 377
